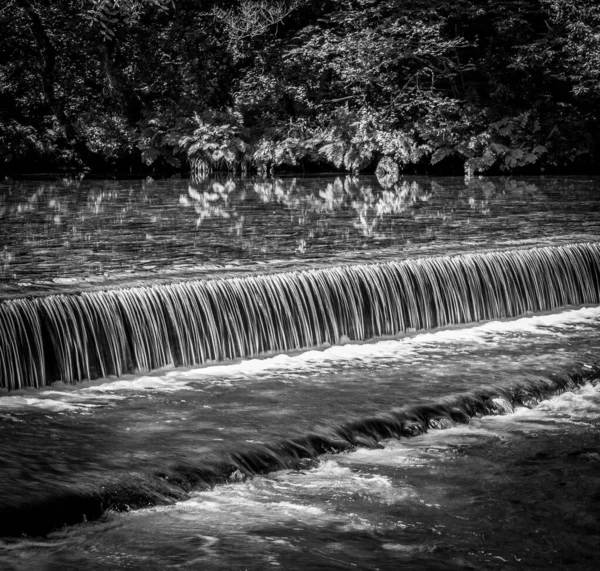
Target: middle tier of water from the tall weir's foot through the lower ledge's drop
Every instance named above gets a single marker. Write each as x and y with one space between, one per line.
153 439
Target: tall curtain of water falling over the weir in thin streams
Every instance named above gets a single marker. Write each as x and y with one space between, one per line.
95 334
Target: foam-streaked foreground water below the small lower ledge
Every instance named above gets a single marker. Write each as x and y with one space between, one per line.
419 497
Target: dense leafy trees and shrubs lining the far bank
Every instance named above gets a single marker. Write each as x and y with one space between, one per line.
422 85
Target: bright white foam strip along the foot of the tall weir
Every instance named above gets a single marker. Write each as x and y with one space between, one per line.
384 353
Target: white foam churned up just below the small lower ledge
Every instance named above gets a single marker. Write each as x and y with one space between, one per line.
243 504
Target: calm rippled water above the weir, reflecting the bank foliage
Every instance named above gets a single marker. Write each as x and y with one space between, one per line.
65 235
